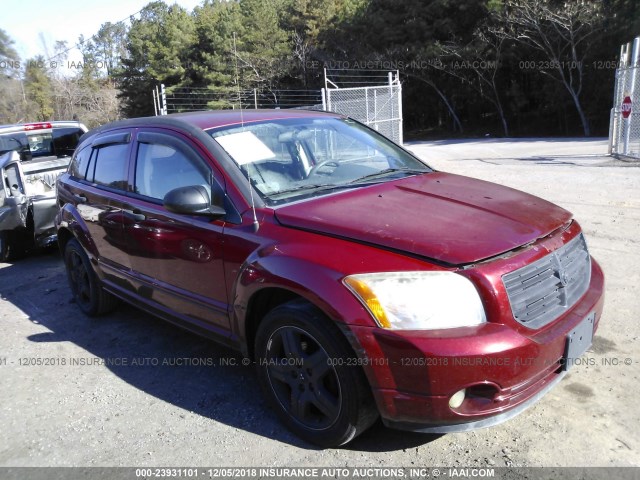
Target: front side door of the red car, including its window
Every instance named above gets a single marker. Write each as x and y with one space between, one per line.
176 259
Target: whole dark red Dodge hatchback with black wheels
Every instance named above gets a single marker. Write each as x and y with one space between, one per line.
361 282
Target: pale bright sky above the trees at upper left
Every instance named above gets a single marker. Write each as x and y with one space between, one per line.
32 24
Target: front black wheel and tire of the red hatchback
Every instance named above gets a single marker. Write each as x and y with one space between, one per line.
307 371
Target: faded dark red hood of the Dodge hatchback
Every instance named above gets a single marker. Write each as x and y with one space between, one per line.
453 219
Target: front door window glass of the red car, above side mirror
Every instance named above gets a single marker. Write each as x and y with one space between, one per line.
161 167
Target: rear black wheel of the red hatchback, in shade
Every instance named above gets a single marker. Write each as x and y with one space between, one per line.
87 291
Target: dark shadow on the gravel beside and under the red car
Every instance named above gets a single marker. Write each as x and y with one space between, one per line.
178 367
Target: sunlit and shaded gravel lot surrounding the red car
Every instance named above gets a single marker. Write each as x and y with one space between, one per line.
75 411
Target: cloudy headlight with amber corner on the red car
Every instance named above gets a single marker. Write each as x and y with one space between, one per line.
418 300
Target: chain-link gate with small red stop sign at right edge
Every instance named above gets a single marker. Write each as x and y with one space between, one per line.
624 127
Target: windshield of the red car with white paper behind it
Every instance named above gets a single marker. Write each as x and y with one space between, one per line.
291 159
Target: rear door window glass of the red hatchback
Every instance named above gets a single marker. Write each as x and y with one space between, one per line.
108 166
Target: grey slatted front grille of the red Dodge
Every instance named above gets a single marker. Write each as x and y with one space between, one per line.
540 292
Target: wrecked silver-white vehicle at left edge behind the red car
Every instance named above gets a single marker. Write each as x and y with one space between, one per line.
32 156
